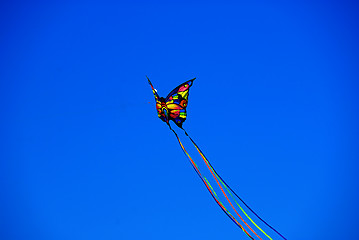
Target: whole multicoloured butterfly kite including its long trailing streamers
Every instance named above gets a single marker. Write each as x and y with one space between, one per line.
173 107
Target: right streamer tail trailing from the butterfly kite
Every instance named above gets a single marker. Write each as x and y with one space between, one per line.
227 186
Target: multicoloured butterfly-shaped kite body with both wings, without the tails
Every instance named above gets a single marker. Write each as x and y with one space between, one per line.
173 107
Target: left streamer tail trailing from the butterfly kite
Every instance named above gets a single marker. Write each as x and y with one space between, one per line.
209 187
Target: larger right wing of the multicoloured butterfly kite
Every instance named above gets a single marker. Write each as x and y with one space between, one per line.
177 101
